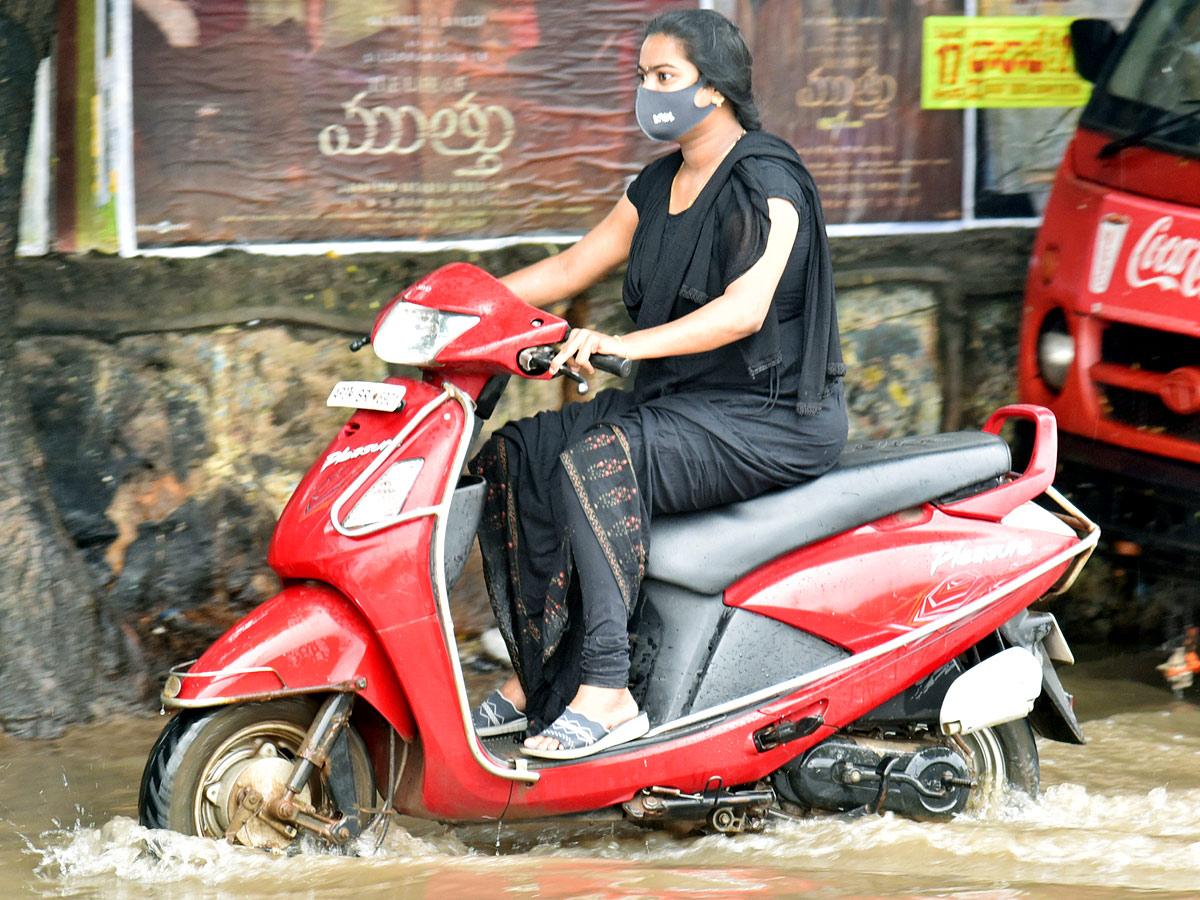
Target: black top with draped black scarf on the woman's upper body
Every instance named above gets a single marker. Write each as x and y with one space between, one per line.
681 262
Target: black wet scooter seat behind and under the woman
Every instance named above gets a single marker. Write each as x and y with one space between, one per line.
710 550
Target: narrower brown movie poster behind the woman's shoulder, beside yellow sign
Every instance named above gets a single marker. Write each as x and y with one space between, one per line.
841 80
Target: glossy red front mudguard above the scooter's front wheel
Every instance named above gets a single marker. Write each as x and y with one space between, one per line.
309 639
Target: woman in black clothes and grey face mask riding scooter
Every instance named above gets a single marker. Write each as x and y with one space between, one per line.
739 392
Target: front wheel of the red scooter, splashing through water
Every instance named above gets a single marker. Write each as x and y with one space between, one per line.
208 761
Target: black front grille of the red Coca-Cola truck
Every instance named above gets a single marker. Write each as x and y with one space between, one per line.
1143 352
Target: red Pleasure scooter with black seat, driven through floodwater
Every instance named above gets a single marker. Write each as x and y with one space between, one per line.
859 643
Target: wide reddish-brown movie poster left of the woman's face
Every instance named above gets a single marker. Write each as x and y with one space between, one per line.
319 121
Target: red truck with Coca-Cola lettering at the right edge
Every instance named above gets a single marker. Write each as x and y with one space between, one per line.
1111 331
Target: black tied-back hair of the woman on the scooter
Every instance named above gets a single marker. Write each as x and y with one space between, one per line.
715 46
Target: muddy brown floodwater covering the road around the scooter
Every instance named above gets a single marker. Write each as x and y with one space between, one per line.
1118 819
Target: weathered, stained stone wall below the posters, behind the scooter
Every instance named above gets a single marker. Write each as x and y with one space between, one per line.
178 403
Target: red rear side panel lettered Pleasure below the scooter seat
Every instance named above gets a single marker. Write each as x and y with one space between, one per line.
865 587
